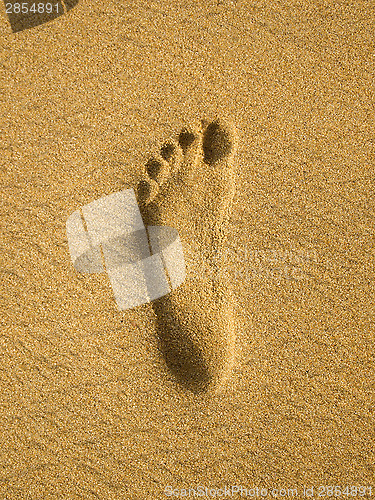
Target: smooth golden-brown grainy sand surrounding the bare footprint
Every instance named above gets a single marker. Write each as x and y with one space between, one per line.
90 408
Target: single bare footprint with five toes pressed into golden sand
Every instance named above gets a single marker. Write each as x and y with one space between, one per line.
190 186
